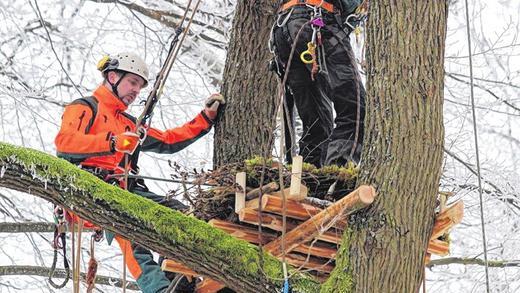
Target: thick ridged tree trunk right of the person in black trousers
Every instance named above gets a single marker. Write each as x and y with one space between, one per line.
403 146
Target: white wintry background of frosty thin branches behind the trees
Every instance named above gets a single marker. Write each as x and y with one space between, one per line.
34 87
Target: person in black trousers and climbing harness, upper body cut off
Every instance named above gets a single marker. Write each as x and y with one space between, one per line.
332 78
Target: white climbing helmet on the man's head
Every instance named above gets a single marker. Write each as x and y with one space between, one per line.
126 61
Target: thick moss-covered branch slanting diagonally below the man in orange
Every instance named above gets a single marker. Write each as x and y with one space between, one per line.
194 243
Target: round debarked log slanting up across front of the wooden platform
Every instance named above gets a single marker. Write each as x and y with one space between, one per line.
359 198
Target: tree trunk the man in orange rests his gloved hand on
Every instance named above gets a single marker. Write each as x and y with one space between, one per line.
246 127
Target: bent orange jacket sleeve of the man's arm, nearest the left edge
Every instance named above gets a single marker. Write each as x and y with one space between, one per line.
72 141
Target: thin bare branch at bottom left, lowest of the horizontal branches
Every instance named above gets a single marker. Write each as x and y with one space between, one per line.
60 273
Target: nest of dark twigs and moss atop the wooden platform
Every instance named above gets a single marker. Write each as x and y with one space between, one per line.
211 194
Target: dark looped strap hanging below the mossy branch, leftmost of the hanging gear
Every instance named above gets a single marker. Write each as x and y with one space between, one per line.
59 242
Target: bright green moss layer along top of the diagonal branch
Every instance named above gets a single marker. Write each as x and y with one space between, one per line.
179 229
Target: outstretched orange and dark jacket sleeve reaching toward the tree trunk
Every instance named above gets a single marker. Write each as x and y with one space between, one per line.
175 139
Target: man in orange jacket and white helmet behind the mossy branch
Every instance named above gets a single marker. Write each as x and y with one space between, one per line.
96 133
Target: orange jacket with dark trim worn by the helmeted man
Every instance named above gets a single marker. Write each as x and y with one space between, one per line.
80 141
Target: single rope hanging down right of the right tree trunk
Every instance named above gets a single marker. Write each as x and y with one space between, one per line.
477 157
